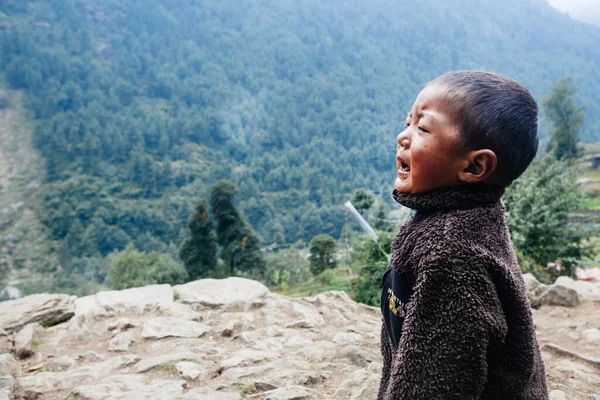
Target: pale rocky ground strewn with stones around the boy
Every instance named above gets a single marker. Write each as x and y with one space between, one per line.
233 339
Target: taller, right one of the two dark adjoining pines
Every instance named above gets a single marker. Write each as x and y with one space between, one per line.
241 247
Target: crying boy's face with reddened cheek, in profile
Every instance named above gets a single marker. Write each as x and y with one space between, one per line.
429 154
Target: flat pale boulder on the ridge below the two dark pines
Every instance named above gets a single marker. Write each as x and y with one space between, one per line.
216 293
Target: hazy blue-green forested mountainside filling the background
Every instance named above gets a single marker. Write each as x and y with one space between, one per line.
141 105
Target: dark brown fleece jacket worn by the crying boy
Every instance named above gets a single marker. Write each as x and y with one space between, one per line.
468 332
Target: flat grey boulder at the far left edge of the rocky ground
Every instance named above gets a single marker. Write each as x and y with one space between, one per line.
45 309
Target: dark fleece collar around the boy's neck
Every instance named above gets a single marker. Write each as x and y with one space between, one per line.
451 198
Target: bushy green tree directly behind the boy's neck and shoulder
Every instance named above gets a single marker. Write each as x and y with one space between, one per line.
538 206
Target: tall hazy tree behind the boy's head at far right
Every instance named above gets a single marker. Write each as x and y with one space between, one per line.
566 117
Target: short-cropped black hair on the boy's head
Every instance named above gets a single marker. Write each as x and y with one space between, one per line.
495 113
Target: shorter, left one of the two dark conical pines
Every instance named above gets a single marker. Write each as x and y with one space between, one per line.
199 251
